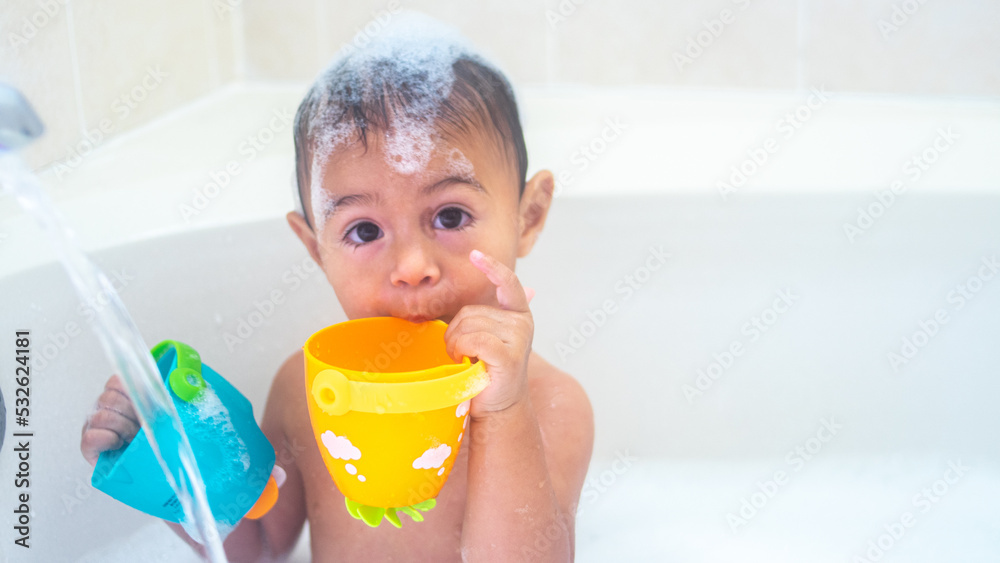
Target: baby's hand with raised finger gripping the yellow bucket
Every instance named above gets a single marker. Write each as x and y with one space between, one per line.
499 337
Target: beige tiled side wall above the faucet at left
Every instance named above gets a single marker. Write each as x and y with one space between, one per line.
95 68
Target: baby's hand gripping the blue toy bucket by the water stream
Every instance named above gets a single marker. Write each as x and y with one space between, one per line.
112 424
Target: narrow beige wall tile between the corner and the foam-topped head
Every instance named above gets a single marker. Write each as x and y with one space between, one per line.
281 38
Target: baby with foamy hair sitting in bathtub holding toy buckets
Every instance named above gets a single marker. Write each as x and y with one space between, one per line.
411 169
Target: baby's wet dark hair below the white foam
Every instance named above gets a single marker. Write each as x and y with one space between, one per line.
481 99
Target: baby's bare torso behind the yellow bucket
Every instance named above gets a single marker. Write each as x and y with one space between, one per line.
337 536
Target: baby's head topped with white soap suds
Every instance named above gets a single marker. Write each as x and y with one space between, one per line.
409 155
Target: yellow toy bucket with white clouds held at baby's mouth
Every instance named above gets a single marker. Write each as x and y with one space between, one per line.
389 409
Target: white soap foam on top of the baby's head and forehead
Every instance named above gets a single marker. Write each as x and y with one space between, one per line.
412 56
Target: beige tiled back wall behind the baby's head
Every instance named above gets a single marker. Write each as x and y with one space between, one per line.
923 47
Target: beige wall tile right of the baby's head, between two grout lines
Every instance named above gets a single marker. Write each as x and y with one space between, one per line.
634 42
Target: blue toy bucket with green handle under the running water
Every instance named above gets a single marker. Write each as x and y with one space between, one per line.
234 457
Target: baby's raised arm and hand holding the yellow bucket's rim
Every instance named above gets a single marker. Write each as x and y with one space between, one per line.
526 467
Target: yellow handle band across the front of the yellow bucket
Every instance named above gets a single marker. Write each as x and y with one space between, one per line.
338 391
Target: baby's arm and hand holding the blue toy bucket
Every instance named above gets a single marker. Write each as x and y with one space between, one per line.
272 537
